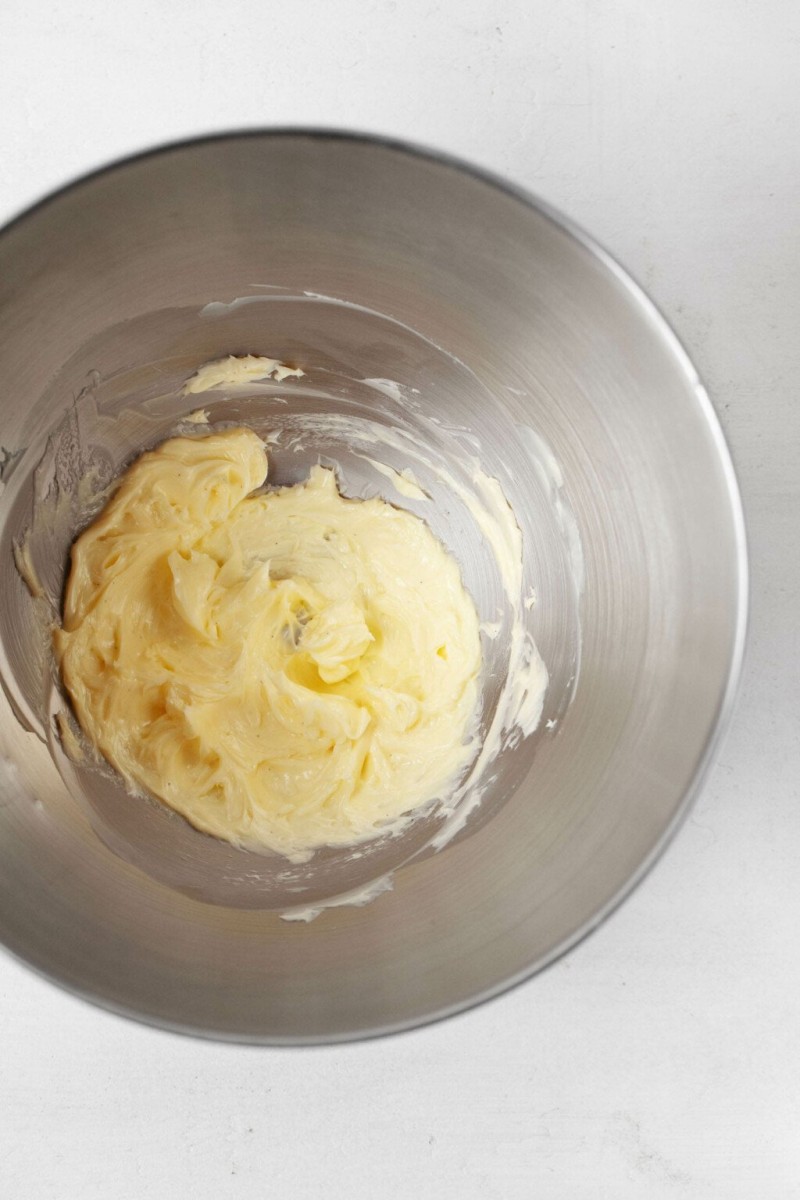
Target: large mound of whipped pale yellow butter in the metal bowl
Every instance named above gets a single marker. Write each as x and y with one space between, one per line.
287 670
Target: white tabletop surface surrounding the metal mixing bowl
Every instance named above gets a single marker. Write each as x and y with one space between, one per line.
663 1058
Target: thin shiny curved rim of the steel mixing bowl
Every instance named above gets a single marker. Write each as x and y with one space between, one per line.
726 709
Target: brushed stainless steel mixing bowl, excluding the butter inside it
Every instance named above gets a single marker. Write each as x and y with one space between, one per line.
498 326
